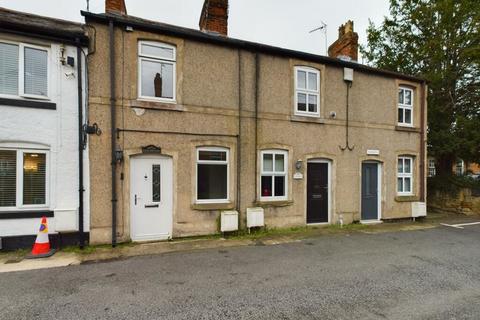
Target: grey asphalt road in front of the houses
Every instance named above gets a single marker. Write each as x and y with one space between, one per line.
380 272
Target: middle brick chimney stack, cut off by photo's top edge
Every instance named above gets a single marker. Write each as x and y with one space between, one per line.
214 17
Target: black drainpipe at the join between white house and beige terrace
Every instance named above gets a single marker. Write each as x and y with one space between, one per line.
81 146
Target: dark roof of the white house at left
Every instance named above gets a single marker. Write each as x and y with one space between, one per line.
32 24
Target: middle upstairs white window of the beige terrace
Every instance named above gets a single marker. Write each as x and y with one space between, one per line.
307 91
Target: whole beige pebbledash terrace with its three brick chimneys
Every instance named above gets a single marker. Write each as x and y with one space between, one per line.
203 124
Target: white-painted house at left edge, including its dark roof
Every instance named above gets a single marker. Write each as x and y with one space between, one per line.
42 94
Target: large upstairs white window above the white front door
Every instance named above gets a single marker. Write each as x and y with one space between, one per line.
156 65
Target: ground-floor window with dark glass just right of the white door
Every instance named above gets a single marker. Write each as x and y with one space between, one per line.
212 174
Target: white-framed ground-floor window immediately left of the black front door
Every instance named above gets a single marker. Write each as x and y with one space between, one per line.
273 179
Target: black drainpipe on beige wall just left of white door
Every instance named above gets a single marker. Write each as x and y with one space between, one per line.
112 133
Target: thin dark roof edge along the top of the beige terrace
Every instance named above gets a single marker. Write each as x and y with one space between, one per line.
159 27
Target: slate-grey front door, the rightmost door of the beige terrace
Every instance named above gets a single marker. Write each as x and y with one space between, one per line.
369 191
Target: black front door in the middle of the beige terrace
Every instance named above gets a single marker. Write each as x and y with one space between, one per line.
317 192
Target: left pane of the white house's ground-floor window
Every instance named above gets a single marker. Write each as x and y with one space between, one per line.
8 178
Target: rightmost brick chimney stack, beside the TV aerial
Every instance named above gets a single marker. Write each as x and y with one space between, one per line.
346 46
